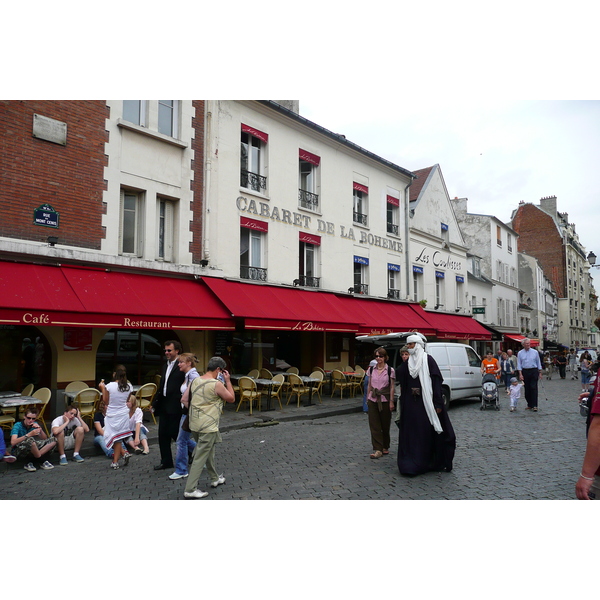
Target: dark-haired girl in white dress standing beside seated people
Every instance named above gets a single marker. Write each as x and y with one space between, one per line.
116 422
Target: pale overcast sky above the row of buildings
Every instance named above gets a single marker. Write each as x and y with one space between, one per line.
495 153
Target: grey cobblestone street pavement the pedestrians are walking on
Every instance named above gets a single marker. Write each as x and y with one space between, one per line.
322 452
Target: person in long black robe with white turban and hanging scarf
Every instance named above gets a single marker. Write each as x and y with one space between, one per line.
420 447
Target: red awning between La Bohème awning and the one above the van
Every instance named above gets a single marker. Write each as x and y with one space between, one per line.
379 317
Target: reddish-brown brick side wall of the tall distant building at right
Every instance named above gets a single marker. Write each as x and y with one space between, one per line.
540 238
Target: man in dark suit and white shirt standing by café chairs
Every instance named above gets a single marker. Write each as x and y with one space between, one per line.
167 404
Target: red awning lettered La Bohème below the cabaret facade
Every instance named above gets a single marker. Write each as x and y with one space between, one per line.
270 307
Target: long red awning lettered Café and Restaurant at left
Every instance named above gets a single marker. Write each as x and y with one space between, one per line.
95 297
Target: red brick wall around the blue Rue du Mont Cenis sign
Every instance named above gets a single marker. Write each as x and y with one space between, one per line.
69 178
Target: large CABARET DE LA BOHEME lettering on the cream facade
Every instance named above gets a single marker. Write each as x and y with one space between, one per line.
288 217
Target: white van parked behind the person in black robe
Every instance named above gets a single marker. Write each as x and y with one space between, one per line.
459 363
